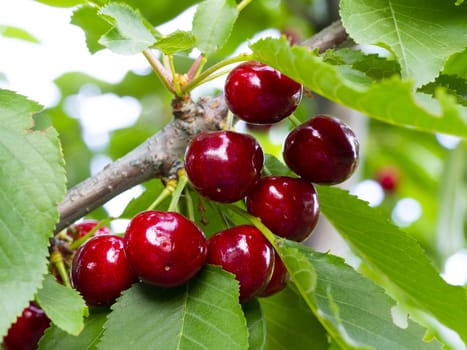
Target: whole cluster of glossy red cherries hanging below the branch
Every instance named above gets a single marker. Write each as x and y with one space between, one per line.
166 249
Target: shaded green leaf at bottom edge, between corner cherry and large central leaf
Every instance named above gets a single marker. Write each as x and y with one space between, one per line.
56 339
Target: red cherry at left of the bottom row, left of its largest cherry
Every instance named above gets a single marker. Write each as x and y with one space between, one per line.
100 270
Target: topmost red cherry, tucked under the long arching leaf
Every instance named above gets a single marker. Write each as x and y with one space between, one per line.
259 94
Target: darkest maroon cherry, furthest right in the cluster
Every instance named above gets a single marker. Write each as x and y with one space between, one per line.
322 150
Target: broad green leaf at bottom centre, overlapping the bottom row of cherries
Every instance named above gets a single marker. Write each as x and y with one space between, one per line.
203 314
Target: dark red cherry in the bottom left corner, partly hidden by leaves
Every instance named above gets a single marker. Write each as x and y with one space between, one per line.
26 332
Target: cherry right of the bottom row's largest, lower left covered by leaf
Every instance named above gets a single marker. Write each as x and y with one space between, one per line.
243 251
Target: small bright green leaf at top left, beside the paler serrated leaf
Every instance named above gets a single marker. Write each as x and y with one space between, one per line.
87 18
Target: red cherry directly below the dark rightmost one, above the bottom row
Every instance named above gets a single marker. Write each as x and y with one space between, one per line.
288 206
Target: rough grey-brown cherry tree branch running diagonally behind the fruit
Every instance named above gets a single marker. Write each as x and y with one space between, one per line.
160 155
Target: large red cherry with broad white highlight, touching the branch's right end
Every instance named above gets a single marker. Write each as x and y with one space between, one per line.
224 166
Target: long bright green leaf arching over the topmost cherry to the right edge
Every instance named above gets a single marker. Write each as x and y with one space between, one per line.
390 100
